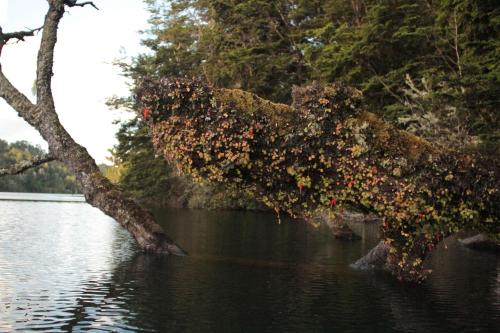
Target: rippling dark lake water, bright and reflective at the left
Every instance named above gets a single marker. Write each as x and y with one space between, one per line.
67 267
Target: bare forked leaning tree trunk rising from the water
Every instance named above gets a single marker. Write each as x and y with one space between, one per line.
98 191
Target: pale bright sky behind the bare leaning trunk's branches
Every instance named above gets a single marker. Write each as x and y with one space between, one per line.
84 76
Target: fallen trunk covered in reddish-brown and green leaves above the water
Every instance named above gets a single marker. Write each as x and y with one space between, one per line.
325 152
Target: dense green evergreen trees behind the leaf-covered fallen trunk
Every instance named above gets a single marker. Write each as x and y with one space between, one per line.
430 67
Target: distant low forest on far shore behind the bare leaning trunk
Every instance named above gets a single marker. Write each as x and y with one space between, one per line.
51 177
